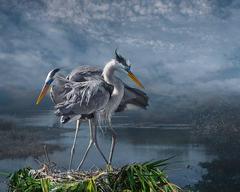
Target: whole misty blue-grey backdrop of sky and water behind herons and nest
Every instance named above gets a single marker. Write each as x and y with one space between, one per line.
185 52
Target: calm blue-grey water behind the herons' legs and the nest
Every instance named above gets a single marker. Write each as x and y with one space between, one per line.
146 141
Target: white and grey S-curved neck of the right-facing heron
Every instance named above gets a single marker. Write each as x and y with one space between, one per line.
118 91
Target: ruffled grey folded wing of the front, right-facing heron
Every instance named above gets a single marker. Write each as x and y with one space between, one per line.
83 98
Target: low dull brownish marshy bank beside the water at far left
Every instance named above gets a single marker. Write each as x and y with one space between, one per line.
24 141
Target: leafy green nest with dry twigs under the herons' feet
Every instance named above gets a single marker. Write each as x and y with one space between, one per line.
137 177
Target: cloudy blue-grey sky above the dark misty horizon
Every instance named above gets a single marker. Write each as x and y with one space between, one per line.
175 46
